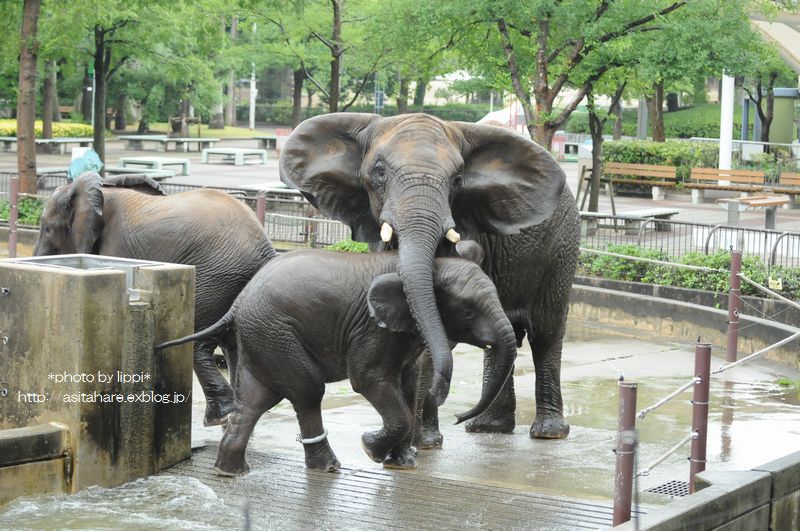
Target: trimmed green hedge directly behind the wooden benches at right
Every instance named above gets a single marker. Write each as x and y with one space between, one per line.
682 154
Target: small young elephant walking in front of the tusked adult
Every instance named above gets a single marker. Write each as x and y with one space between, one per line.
352 320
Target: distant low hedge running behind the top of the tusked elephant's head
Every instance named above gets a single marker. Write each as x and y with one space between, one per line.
281 113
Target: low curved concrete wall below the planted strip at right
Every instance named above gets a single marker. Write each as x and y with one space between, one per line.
681 321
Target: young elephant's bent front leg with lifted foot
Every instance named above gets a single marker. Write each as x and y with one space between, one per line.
389 401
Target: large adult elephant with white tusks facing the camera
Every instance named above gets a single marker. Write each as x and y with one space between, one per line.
415 182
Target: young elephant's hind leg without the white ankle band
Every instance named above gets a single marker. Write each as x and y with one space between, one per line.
252 400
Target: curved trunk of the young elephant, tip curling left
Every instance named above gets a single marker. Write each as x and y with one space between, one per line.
504 352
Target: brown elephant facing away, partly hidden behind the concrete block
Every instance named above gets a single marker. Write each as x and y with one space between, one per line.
205 228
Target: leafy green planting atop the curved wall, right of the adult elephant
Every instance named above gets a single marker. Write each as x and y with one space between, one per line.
753 267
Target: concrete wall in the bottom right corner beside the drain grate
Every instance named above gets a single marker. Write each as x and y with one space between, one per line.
767 497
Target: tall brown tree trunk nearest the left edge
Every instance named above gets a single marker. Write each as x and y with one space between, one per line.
26 102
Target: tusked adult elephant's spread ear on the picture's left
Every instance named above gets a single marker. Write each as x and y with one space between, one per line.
322 159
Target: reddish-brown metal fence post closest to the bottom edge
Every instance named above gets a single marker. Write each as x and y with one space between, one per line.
626 446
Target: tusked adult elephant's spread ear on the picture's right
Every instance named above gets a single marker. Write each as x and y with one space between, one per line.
509 183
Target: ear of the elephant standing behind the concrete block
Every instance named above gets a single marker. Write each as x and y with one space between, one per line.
84 212
